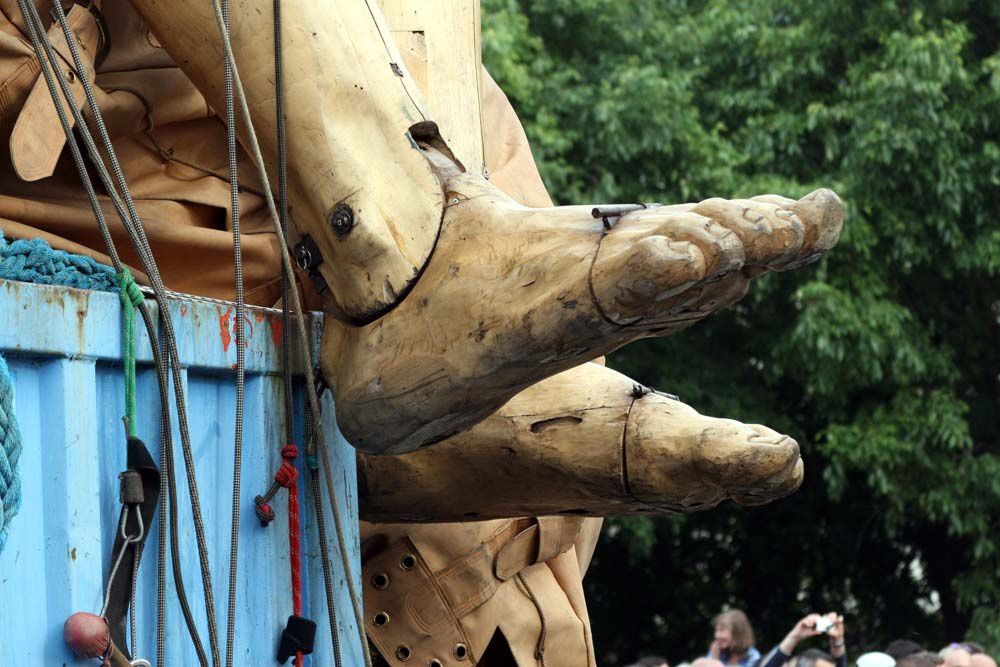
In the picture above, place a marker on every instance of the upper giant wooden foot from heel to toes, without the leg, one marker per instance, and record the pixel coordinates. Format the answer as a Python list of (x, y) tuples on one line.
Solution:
[(512, 295)]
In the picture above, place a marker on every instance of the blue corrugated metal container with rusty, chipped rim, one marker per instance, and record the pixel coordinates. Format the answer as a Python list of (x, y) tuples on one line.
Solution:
[(63, 347)]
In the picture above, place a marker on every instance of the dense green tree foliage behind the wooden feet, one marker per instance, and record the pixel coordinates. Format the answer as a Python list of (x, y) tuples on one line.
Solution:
[(882, 360)]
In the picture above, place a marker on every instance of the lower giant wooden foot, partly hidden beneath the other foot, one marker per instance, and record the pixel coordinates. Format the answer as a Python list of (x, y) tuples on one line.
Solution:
[(588, 441)]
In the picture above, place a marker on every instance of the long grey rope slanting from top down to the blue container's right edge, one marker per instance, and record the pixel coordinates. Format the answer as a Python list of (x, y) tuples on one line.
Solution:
[(286, 263)]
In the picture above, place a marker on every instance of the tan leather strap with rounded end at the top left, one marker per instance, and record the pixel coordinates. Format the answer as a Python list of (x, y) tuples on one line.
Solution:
[(38, 139)]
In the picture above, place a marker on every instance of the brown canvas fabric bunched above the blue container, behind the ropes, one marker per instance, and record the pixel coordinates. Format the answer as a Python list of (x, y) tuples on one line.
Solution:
[(171, 146)]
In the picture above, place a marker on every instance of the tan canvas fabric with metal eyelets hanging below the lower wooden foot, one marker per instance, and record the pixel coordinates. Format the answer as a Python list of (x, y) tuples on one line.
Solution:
[(516, 583)]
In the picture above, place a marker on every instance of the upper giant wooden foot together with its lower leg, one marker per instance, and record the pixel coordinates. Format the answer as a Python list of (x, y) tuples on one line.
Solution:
[(438, 321)]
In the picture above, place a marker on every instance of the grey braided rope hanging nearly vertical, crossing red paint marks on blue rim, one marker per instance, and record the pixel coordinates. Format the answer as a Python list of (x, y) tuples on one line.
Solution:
[(234, 192)]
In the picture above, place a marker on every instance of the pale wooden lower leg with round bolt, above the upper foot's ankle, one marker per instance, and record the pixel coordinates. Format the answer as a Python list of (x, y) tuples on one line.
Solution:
[(351, 108)]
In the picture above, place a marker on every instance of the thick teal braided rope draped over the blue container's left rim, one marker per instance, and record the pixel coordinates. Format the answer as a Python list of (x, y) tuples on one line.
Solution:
[(34, 261)]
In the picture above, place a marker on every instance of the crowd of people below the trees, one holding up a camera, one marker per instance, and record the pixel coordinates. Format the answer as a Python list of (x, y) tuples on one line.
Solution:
[(734, 645)]
